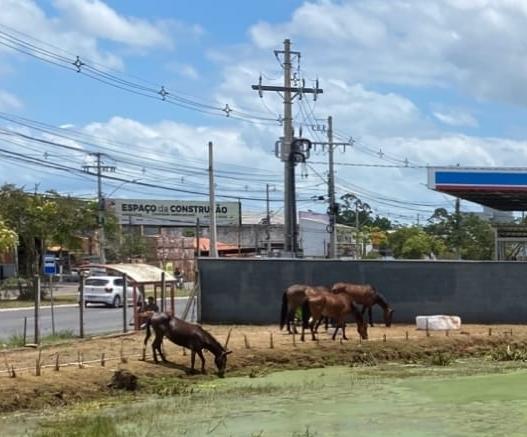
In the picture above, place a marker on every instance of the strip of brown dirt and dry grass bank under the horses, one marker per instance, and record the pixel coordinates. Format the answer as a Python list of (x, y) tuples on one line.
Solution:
[(256, 350)]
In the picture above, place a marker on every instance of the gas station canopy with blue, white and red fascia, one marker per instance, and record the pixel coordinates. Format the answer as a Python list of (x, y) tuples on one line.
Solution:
[(499, 188)]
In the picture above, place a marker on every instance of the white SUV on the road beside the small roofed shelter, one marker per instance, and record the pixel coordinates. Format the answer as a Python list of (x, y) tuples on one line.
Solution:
[(107, 290)]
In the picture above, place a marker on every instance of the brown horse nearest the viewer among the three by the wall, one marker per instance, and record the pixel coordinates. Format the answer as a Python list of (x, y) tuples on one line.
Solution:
[(337, 306)]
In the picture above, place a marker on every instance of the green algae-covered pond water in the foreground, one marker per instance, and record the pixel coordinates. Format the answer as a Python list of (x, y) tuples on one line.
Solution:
[(391, 400)]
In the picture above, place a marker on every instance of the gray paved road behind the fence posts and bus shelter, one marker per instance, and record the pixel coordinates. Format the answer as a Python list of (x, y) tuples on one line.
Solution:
[(97, 319)]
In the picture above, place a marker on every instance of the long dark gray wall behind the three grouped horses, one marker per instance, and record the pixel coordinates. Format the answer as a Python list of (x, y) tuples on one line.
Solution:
[(250, 290)]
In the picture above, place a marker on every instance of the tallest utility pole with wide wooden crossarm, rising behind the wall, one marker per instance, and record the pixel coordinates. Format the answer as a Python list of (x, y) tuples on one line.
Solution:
[(288, 150)]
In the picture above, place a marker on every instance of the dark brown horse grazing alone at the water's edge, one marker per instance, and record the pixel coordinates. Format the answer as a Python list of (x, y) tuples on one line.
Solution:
[(188, 335)]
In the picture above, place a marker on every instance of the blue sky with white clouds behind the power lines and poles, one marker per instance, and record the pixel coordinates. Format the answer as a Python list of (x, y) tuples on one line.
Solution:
[(436, 83)]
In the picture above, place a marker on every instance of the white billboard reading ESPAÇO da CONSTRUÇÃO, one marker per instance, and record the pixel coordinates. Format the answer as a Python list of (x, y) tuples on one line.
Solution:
[(172, 212)]
